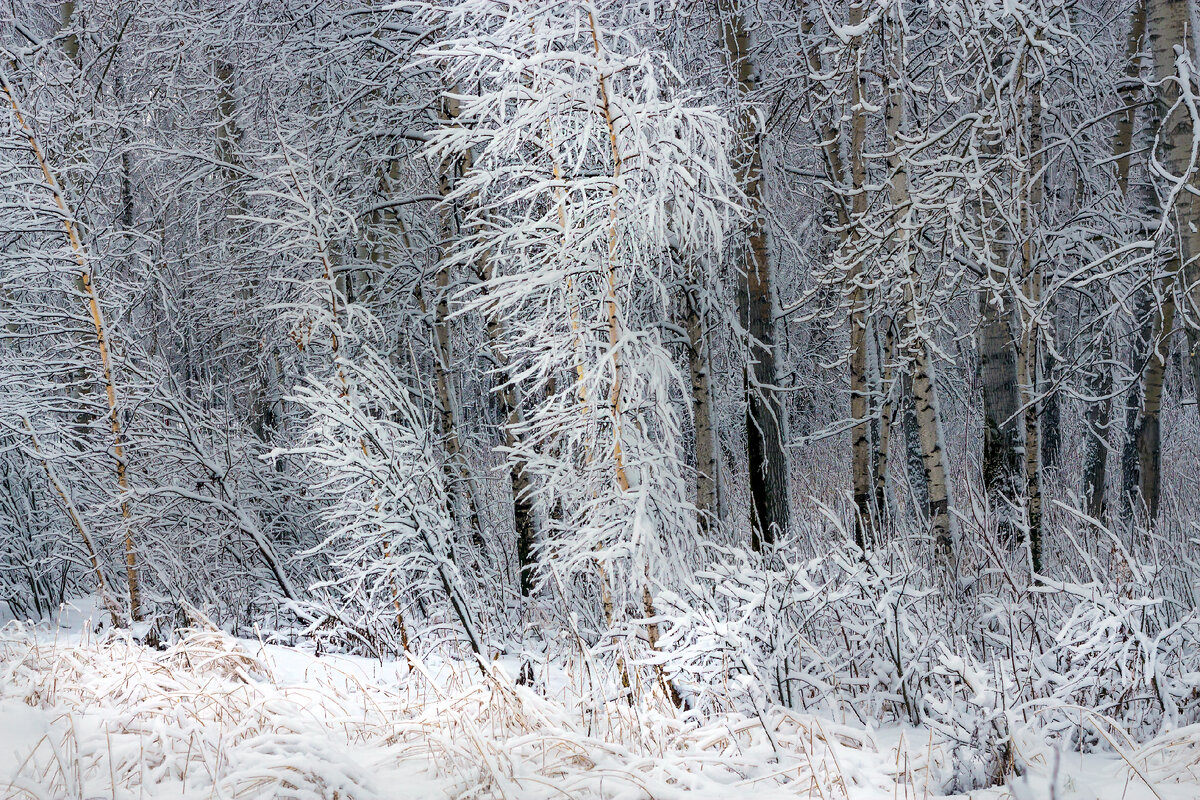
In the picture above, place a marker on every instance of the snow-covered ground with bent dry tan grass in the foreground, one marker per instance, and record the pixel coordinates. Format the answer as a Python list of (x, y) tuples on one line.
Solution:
[(219, 718)]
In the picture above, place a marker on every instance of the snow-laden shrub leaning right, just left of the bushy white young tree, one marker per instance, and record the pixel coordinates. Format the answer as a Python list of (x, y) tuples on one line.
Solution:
[(376, 473)]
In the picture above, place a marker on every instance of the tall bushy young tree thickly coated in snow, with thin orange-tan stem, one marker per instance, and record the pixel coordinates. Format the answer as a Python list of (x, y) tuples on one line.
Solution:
[(589, 167)]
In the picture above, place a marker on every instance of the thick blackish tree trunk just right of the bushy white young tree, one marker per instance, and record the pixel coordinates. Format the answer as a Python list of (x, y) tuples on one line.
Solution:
[(767, 462)]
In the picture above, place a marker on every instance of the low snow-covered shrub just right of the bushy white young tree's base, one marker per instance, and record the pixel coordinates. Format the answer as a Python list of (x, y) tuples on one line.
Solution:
[(842, 633)]
